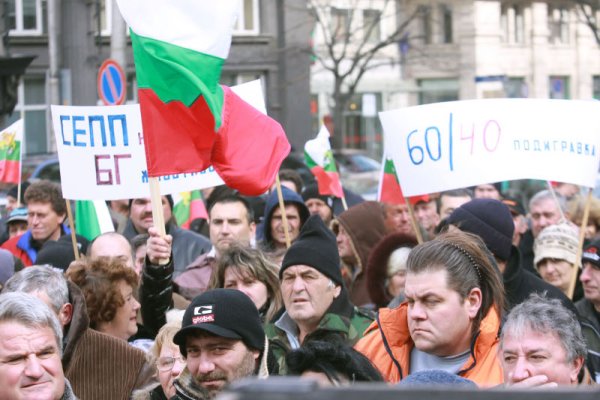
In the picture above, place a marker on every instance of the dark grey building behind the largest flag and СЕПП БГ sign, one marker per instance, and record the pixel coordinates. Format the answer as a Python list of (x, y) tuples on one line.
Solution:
[(71, 39)]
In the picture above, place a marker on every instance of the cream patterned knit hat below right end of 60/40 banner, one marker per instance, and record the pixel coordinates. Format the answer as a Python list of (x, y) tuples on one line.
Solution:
[(558, 241)]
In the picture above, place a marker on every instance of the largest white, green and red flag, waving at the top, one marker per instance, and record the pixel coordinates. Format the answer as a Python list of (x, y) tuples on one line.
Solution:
[(191, 122)]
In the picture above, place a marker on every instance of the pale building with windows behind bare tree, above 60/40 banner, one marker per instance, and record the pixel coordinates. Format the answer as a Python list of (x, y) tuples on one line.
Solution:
[(459, 50)]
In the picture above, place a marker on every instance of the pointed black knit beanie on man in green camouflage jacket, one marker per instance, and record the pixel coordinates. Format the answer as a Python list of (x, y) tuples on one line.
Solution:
[(316, 247)]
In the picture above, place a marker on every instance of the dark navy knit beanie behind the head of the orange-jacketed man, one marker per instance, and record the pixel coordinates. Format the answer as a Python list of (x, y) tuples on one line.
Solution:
[(489, 219)]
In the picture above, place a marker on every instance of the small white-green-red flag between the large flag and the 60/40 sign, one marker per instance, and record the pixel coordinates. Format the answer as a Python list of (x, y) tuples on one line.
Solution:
[(319, 159)]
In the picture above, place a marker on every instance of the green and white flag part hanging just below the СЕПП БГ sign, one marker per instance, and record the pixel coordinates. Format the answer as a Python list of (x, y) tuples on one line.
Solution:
[(92, 218)]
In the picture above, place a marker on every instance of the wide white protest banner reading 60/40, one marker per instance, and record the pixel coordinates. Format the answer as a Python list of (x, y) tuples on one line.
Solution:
[(458, 144)]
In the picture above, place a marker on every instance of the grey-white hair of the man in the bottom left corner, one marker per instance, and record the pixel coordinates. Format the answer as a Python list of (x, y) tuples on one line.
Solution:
[(30, 311)]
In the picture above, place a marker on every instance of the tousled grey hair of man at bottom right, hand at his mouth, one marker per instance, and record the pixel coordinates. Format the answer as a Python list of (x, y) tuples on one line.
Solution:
[(547, 316)]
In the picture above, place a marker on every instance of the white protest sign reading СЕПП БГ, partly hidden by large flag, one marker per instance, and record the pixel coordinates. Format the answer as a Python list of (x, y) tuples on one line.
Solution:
[(101, 152)]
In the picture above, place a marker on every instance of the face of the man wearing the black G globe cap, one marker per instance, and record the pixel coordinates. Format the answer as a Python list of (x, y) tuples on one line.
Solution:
[(216, 361)]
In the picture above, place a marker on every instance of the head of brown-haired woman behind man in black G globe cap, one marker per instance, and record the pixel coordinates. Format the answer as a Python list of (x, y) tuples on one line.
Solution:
[(248, 270)]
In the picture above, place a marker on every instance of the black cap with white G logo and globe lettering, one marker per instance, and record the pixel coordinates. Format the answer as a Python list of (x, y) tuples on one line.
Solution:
[(226, 313)]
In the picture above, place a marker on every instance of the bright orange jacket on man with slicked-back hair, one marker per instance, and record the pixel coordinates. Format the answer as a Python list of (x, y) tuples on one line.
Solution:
[(483, 367)]
